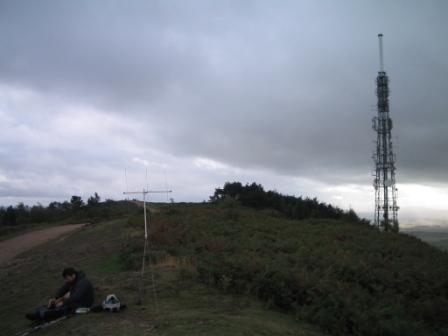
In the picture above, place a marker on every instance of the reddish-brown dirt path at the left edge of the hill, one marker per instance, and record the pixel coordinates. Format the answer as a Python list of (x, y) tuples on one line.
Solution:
[(10, 248)]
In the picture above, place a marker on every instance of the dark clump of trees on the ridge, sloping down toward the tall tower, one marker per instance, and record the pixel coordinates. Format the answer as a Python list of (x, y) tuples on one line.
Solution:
[(254, 196)]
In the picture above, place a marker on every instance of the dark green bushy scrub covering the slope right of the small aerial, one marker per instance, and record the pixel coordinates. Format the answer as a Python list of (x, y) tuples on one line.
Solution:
[(346, 278)]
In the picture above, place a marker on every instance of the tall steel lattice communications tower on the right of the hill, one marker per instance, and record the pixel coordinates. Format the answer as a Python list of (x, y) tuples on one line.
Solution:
[(385, 191)]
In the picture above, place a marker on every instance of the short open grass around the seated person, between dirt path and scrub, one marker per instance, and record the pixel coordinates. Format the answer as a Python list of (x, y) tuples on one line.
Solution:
[(184, 306)]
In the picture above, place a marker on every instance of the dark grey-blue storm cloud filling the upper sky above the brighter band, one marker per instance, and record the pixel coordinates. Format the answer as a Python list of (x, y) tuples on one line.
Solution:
[(285, 86)]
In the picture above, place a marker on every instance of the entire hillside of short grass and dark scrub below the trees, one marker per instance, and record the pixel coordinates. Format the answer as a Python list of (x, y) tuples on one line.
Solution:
[(229, 270)]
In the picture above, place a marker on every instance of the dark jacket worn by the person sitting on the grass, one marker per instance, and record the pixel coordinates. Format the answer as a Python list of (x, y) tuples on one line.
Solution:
[(81, 292)]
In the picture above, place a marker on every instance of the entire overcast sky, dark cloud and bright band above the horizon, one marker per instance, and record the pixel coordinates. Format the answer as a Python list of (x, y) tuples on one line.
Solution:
[(201, 92)]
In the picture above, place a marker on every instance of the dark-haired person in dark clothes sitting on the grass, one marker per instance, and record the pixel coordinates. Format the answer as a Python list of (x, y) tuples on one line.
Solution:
[(77, 292)]
